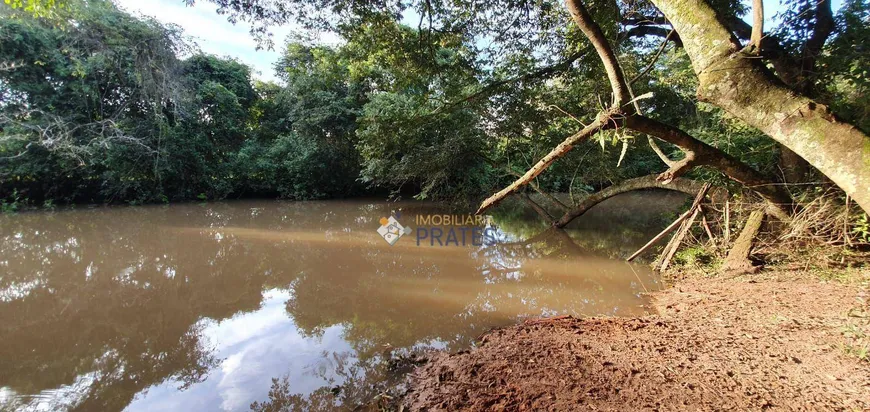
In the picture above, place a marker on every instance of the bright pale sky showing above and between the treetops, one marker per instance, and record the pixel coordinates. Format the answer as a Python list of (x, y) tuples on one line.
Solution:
[(215, 35)]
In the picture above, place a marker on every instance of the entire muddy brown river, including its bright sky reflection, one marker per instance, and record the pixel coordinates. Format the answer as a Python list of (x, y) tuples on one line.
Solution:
[(217, 306)]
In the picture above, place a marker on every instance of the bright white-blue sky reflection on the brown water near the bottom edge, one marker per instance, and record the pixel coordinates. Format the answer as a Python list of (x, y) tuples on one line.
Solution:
[(254, 347)]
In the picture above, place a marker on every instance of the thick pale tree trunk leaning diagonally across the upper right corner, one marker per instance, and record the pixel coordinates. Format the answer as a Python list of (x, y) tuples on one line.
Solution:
[(743, 87)]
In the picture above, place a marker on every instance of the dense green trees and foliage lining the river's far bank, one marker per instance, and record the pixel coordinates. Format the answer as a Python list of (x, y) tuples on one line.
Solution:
[(100, 106)]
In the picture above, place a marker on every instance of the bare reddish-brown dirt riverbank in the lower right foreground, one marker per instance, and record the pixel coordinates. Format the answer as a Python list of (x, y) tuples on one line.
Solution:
[(782, 339)]
